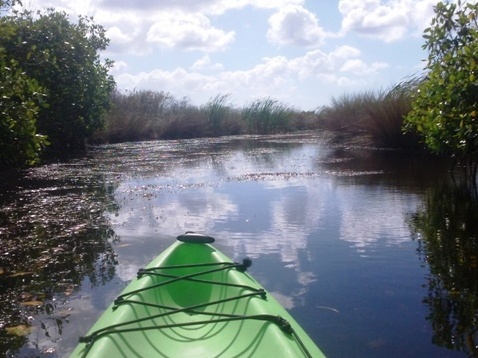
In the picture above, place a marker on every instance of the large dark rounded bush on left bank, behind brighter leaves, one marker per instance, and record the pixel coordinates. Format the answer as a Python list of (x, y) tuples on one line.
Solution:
[(63, 58)]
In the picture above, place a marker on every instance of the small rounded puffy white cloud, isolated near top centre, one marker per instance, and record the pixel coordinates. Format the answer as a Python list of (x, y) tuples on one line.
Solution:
[(294, 25)]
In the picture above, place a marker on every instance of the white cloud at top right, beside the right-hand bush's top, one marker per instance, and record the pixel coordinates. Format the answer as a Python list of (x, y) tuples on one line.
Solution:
[(386, 20)]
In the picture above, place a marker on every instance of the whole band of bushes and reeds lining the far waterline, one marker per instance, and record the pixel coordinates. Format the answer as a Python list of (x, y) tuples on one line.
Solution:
[(58, 97)]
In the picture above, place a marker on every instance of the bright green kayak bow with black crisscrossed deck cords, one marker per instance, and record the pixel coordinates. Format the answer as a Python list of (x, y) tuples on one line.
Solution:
[(193, 301)]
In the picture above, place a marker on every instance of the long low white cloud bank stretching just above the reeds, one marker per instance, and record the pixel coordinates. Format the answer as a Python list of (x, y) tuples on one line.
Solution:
[(276, 75)]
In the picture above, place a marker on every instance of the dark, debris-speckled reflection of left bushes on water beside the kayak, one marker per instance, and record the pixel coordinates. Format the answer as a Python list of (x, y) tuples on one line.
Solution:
[(53, 234)]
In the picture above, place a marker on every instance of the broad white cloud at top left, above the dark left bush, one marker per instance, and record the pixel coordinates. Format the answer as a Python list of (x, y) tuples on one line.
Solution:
[(135, 26)]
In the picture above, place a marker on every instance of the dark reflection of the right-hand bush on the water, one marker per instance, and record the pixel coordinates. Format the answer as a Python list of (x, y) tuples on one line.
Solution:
[(446, 229)]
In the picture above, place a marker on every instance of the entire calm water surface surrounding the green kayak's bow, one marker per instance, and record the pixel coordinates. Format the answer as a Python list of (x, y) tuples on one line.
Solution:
[(373, 251)]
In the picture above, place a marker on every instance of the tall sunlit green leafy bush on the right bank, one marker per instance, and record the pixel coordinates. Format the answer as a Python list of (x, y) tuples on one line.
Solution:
[(445, 105)]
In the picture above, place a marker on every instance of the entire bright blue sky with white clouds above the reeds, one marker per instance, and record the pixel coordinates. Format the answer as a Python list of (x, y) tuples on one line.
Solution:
[(302, 53)]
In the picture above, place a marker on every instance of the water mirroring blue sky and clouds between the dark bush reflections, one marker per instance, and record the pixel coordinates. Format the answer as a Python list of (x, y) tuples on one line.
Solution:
[(326, 228)]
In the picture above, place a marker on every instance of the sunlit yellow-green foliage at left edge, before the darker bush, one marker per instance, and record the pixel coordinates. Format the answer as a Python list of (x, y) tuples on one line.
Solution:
[(20, 102)]
